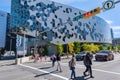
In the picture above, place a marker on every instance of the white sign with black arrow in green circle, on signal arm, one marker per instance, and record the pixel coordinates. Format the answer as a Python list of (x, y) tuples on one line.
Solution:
[(108, 5)]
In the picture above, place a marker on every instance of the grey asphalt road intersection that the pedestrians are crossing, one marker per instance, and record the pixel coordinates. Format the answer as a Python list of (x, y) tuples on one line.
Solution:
[(105, 70)]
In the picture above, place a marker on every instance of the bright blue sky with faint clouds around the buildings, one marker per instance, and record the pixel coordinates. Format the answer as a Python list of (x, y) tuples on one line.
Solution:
[(111, 16)]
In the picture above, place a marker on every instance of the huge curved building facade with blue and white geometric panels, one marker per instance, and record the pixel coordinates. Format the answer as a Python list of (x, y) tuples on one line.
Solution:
[(56, 21)]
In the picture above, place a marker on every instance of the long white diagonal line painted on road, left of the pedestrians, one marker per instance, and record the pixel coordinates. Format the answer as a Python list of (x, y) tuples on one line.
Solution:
[(64, 78)]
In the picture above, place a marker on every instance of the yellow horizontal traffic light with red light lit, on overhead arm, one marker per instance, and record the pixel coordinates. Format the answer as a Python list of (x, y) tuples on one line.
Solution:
[(92, 12)]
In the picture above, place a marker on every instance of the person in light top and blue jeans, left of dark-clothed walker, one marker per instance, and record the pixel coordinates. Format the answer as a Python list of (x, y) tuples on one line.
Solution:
[(72, 64)]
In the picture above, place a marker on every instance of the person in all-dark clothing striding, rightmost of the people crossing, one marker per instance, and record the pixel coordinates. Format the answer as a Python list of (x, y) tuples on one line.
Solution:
[(88, 62)]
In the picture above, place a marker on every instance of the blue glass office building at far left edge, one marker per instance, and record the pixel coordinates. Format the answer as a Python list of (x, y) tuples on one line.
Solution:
[(5, 38)]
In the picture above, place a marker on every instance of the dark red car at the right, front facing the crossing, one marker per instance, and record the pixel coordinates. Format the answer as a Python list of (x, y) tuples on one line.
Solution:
[(104, 55)]
